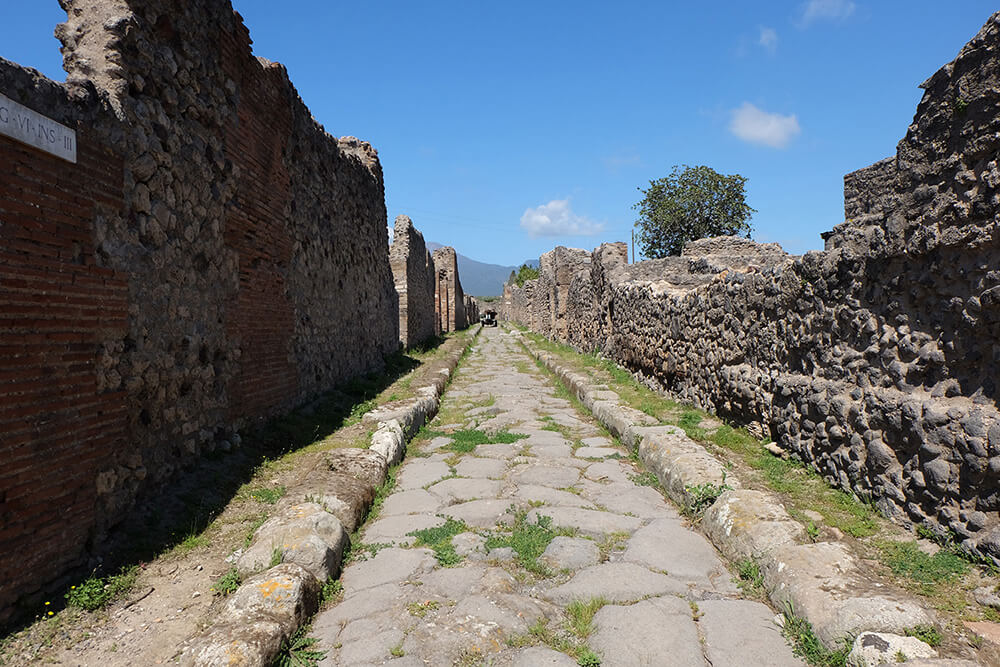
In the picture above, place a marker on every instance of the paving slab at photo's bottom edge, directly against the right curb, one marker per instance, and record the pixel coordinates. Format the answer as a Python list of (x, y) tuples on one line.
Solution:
[(742, 633)]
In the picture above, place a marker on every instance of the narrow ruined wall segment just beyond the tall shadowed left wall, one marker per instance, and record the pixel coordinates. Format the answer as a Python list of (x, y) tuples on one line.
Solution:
[(416, 280)]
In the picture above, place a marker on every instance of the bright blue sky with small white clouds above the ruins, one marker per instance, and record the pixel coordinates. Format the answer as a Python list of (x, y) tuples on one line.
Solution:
[(505, 129)]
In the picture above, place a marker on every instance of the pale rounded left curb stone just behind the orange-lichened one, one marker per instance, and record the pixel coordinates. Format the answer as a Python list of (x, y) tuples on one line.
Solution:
[(305, 534)]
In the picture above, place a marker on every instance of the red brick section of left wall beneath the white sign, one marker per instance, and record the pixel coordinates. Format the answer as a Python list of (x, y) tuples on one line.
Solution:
[(59, 426)]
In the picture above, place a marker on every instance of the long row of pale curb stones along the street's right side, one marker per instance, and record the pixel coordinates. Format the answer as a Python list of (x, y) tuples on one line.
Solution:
[(821, 582)]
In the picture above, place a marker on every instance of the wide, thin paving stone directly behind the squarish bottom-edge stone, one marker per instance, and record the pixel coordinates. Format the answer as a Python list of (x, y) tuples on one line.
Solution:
[(617, 582)]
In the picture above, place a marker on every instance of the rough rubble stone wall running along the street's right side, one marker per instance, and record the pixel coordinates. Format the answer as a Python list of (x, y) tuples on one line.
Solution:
[(876, 360)]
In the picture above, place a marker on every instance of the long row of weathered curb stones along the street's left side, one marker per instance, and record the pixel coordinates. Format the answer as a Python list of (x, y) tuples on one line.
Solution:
[(270, 606)]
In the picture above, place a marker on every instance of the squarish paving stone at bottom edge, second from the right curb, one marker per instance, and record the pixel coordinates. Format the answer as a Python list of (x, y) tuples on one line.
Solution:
[(635, 635)]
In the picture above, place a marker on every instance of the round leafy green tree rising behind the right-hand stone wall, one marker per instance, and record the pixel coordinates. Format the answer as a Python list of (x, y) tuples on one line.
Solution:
[(691, 203)]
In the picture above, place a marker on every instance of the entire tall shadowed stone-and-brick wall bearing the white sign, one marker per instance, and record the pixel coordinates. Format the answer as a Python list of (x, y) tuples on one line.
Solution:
[(213, 258)]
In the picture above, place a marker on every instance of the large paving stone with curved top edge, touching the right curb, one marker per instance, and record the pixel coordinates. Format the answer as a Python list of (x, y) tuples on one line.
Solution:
[(669, 546)]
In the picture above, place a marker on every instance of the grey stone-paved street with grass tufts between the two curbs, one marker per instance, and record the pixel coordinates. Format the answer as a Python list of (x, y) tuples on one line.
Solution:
[(519, 534)]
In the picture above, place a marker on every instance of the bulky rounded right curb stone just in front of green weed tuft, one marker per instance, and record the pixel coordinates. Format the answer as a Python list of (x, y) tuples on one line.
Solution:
[(746, 524)]
